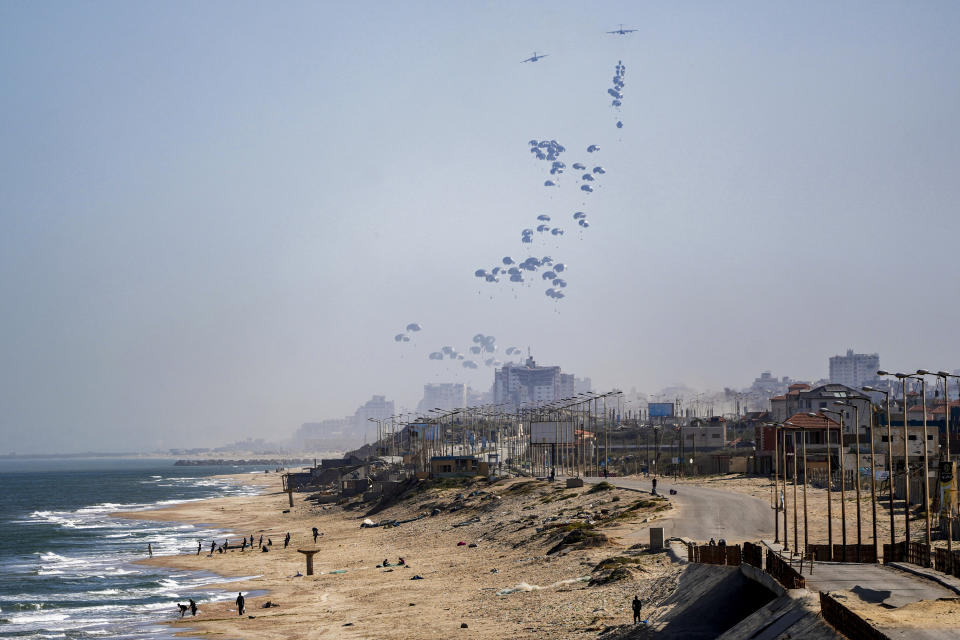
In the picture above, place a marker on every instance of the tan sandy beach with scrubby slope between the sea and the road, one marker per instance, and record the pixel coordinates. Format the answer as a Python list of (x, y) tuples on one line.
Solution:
[(503, 581)]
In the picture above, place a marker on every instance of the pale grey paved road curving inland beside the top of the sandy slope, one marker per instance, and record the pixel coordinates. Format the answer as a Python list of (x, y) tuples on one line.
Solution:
[(700, 513)]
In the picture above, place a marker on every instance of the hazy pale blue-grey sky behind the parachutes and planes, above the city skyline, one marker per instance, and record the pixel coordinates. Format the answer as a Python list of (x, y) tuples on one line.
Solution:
[(216, 216)]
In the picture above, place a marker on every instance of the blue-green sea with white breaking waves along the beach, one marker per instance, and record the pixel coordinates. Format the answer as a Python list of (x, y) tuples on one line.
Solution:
[(67, 567)]
